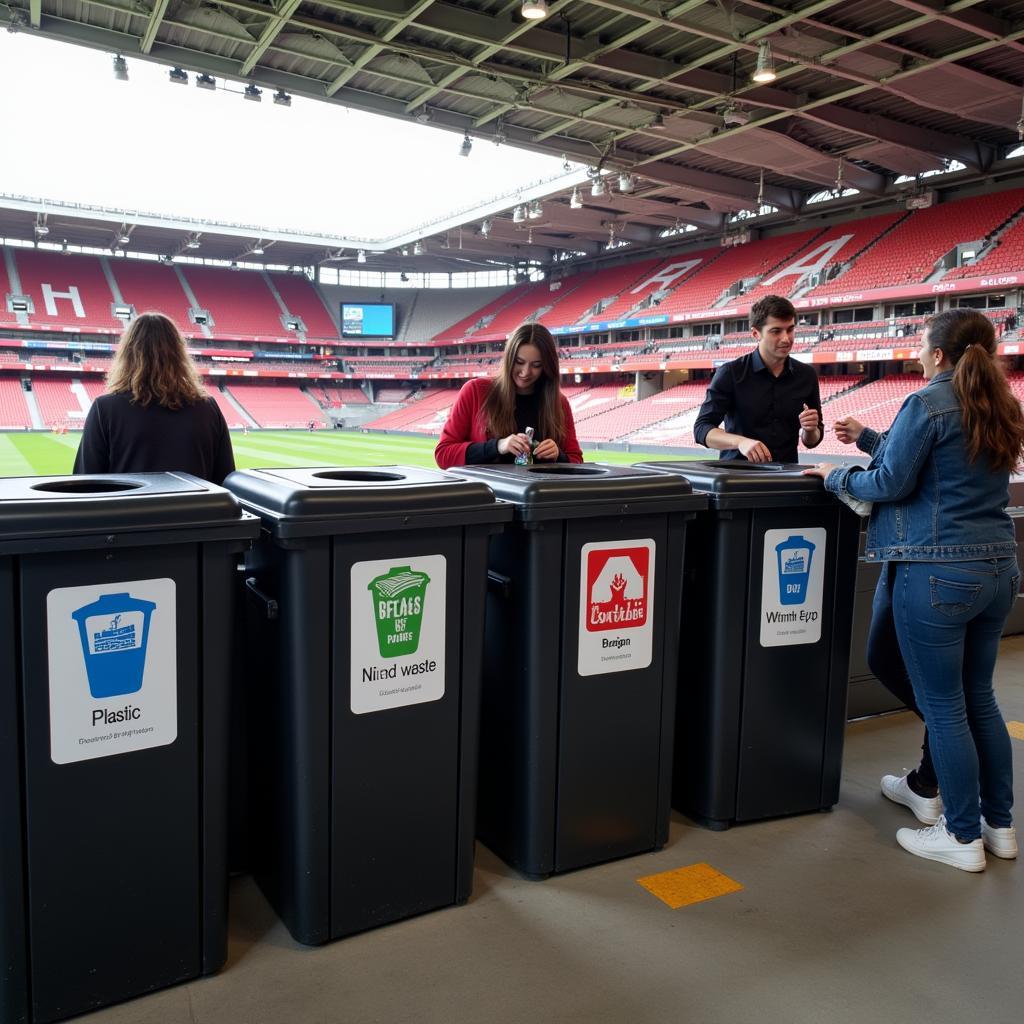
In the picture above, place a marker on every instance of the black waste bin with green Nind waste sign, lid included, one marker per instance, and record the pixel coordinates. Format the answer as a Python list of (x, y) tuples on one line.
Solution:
[(364, 700)]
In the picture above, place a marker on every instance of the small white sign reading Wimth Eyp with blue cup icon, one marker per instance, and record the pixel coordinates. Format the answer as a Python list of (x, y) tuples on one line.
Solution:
[(792, 586)]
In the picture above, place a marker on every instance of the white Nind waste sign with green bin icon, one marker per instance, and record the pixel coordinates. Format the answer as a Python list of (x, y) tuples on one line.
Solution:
[(398, 621)]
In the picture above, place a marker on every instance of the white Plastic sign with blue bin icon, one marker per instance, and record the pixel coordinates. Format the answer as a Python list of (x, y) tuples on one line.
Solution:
[(113, 669)]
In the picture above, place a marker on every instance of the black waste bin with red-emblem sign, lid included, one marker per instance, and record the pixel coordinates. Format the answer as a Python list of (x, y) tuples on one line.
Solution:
[(580, 664)]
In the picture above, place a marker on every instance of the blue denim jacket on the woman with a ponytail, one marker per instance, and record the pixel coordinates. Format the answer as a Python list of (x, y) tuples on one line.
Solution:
[(931, 503)]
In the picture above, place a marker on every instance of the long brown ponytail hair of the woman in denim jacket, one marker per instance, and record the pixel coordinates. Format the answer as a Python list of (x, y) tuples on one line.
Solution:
[(994, 423)]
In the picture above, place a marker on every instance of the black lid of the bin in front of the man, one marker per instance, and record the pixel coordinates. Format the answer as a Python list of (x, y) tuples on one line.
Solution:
[(734, 484)]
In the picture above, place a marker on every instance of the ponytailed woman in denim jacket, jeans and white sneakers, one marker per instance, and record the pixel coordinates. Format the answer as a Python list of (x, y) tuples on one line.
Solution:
[(940, 484)]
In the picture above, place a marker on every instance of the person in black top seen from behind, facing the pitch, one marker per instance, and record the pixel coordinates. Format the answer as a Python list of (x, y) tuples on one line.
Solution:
[(156, 416)]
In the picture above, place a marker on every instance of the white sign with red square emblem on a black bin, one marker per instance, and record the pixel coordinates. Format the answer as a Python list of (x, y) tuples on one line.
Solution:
[(617, 607)]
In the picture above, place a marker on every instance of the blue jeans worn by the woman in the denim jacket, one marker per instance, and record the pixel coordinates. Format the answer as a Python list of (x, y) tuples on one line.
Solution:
[(950, 617)]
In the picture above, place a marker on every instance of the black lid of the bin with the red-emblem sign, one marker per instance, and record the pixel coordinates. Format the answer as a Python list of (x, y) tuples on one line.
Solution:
[(564, 491)]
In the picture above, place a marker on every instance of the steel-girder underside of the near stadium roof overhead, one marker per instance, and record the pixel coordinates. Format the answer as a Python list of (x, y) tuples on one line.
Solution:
[(866, 91)]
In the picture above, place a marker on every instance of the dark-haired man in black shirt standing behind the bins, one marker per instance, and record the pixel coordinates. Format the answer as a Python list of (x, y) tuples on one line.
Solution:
[(766, 399)]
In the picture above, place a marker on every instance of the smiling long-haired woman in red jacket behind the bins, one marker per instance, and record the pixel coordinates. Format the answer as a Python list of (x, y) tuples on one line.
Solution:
[(489, 420)]
